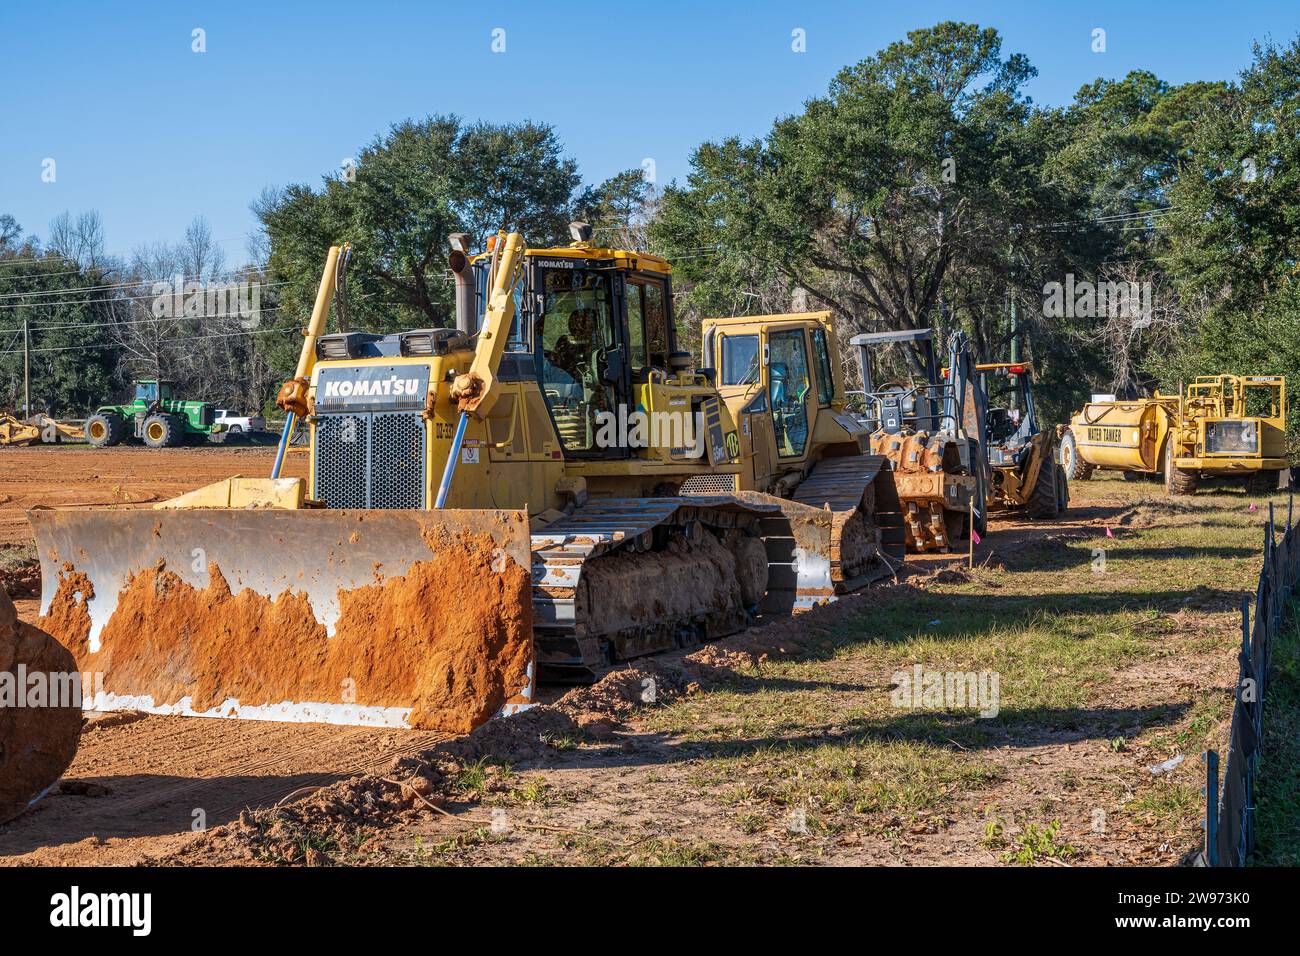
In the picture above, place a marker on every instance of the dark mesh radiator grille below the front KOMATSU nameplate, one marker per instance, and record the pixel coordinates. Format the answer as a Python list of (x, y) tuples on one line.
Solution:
[(371, 461)]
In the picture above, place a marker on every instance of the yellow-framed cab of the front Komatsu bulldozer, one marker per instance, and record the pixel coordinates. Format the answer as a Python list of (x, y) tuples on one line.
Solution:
[(595, 328)]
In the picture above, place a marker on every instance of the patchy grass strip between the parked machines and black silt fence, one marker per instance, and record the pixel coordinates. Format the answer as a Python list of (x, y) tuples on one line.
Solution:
[(1113, 655)]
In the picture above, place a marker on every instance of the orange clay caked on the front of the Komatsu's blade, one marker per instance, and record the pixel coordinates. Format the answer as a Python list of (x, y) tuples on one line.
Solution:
[(450, 639)]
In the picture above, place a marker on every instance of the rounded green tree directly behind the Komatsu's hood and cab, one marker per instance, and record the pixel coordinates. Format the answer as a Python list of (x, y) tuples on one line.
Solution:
[(409, 191)]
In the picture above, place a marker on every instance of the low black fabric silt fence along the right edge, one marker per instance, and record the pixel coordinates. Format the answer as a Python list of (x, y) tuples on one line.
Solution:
[(1230, 804)]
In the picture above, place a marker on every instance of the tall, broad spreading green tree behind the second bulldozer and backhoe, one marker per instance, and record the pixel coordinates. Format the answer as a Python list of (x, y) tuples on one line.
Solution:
[(913, 194)]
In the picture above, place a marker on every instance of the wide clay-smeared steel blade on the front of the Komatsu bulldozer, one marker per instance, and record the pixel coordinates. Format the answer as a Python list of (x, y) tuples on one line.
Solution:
[(370, 618)]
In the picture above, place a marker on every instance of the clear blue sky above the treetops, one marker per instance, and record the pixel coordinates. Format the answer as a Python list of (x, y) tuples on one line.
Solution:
[(153, 135)]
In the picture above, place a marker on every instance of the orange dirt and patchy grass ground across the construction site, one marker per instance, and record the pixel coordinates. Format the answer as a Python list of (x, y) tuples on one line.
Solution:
[(775, 746)]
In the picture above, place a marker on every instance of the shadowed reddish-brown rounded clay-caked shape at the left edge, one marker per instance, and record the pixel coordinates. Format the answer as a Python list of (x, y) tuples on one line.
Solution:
[(38, 734)]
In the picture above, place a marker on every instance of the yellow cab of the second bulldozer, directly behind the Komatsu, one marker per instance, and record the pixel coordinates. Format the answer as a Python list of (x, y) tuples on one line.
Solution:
[(779, 378)]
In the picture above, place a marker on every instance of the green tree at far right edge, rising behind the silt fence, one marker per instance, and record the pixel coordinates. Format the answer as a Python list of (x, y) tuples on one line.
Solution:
[(1233, 241)]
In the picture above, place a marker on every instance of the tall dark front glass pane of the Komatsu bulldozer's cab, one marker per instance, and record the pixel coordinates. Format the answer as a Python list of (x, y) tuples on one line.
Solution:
[(575, 338)]
